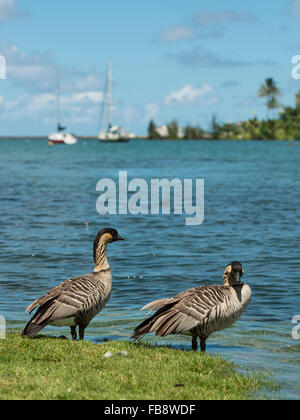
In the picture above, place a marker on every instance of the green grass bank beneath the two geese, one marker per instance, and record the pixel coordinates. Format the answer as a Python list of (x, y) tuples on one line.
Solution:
[(48, 368)]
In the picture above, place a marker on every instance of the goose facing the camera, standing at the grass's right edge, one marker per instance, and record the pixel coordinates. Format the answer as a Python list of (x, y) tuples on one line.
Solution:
[(200, 311)]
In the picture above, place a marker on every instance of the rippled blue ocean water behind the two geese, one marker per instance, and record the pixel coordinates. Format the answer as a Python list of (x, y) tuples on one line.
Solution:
[(48, 221)]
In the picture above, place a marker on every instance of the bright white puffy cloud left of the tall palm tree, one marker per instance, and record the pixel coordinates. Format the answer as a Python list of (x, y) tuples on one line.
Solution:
[(187, 95)]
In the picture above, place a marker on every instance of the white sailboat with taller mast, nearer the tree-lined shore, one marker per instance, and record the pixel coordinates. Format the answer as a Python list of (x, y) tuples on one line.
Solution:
[(113, 133)]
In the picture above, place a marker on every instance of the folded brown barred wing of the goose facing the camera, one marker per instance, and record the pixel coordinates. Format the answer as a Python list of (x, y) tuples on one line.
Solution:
[(183, 312)]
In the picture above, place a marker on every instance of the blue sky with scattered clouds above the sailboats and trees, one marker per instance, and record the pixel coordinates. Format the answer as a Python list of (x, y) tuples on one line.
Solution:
[(171, 59)]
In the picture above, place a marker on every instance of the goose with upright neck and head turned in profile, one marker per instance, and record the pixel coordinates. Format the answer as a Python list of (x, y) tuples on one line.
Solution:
[(77, 300)]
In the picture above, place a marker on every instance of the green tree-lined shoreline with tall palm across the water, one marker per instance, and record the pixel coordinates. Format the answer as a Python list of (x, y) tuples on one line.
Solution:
[(285, 127)]
